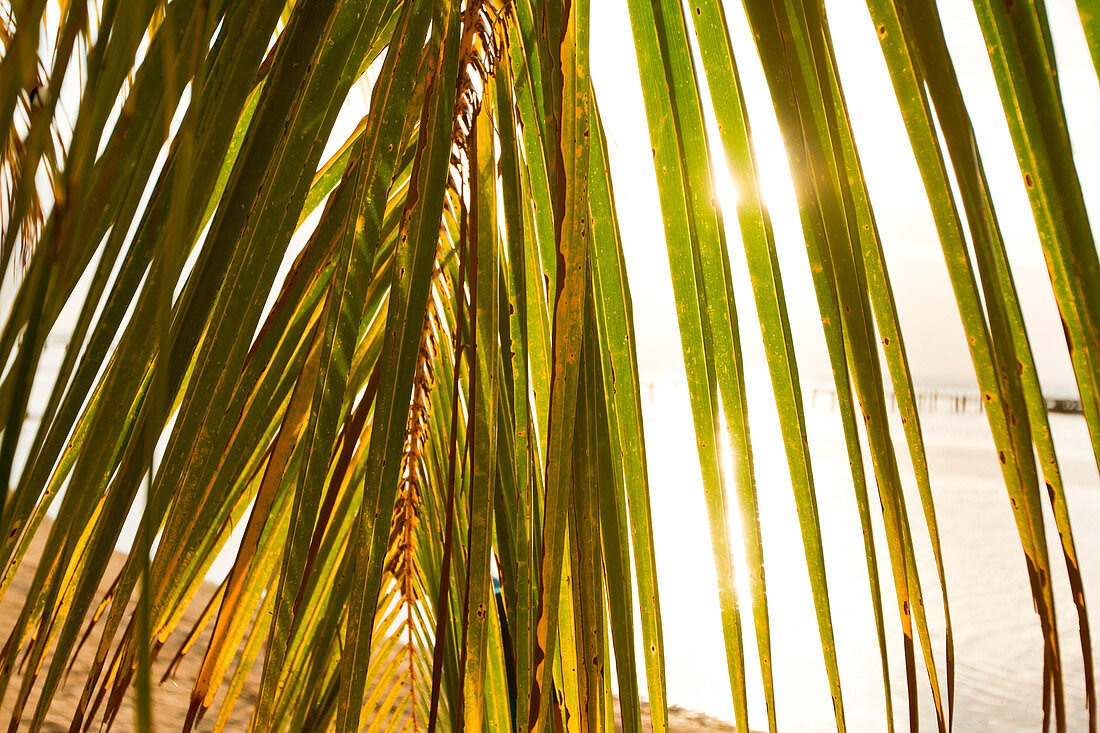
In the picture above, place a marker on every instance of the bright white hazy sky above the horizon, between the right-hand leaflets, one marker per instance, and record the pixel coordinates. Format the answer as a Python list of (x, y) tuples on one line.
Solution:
[(930, 319)]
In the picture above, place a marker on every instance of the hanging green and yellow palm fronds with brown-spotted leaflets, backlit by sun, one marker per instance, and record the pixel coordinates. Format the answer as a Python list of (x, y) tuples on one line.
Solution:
[(381, 355)]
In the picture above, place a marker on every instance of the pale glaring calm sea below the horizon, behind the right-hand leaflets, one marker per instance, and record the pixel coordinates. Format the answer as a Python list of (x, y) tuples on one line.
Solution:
[(997, 636)]
